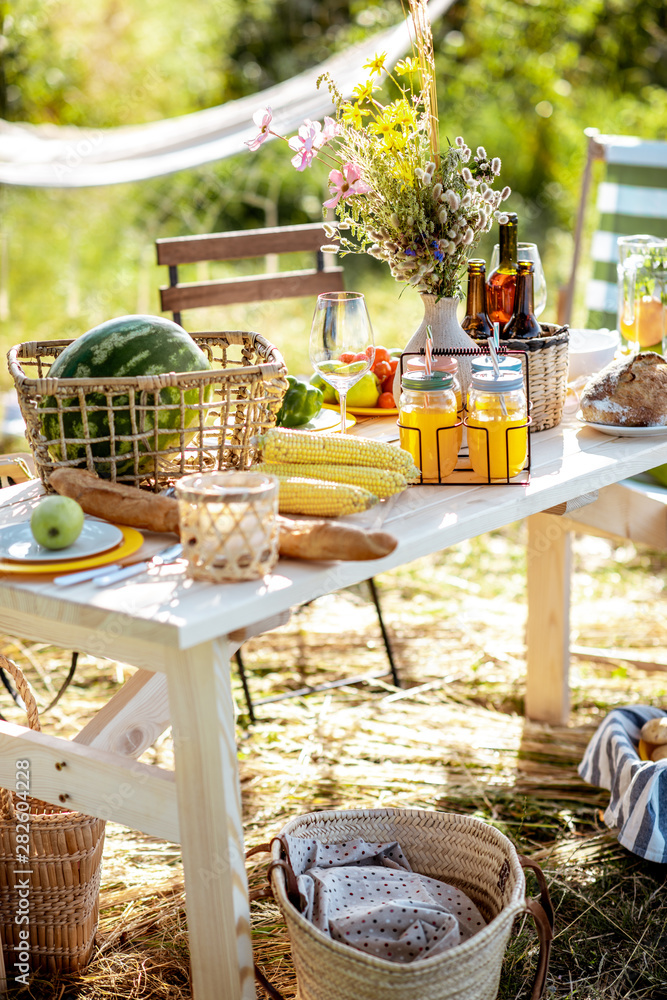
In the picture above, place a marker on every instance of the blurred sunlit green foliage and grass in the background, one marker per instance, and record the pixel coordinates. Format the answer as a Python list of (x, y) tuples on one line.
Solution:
[(521, 77)]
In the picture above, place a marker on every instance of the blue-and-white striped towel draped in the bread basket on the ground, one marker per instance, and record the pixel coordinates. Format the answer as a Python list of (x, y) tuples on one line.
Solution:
[(638, 803)]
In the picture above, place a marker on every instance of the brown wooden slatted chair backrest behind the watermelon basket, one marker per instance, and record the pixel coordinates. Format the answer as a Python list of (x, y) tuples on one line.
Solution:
[(244, 245)]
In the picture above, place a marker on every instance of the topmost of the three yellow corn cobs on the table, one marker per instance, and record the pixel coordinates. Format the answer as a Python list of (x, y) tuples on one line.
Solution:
[(280, 445)]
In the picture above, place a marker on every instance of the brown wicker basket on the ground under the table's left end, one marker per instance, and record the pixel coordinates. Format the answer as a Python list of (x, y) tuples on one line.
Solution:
[(65, 856)]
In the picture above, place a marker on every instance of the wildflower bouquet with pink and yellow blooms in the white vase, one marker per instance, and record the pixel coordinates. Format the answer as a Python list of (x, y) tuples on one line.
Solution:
[(396, 195)]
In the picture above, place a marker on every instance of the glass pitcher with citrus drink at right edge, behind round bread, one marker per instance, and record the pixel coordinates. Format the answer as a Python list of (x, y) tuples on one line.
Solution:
[(642, 292)]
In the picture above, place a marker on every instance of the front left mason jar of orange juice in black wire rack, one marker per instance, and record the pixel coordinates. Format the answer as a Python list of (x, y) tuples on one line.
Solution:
[(427, 423)]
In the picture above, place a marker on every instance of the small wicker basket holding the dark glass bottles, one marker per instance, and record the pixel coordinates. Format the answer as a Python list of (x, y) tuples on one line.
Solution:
[(548, 361)]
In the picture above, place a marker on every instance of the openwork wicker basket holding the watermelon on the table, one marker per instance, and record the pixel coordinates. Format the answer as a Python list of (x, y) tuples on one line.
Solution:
[(111, 427)]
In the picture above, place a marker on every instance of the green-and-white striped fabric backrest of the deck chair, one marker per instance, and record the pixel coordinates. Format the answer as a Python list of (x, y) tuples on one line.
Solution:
[(631, 199)]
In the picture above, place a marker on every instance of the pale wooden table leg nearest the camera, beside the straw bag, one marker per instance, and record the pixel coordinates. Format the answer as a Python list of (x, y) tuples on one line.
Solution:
[(209, 809)]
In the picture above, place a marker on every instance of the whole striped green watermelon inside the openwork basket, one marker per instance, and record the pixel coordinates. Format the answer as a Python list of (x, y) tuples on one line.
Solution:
[(125, 347)]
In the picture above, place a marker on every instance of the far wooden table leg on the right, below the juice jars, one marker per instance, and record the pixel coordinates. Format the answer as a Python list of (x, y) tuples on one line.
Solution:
[(548, 626)]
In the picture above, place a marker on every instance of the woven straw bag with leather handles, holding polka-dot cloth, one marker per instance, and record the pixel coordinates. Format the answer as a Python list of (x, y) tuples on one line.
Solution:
[(461, 850)]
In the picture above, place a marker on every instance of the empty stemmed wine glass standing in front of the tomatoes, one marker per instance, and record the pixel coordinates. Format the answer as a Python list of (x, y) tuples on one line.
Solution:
[(341, 342)]
